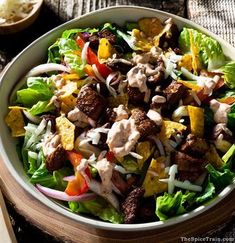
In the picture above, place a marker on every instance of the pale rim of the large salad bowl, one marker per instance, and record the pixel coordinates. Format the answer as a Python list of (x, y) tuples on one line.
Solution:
[(93, 222)]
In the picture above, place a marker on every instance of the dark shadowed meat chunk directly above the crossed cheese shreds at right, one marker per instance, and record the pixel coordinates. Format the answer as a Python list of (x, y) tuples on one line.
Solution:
[(189, 168)]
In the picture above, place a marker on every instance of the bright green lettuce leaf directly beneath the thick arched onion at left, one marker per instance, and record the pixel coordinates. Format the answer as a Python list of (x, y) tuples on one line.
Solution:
[(38, 90)]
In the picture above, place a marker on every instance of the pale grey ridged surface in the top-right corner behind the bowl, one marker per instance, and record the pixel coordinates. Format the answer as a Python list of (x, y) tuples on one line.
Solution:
[(215, 15)]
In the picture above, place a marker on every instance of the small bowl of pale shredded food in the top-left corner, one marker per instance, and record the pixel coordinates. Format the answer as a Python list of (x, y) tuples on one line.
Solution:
[(16, 15)]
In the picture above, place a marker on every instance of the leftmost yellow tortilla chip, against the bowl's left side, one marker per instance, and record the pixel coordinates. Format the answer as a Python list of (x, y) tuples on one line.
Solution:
[(15, 121)]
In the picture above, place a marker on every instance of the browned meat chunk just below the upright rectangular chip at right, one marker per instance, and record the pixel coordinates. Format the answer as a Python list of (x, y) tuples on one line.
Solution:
[(195, 146)]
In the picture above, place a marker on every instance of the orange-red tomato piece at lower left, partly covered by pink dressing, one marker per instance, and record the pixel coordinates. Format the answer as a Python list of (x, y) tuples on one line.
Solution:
[(78, 185)]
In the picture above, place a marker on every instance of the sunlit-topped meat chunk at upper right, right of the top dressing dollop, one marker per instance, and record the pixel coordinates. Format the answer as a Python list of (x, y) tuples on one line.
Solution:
[(174, 92)]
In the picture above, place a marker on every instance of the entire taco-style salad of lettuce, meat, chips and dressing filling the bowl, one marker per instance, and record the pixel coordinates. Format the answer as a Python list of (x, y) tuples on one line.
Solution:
[(128, 124)]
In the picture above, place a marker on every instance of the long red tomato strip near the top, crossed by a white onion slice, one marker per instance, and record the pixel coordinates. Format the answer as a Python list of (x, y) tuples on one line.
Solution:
[(92, 58)]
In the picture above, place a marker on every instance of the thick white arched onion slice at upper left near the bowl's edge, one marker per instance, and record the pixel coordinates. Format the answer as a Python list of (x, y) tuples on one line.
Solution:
[(47, 67)]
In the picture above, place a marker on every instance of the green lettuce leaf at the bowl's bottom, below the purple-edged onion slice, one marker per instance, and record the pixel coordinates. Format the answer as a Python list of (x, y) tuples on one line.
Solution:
[(100, 208)]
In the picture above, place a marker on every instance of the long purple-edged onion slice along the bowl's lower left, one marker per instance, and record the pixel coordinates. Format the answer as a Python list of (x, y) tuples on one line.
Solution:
[(63, 196)]
